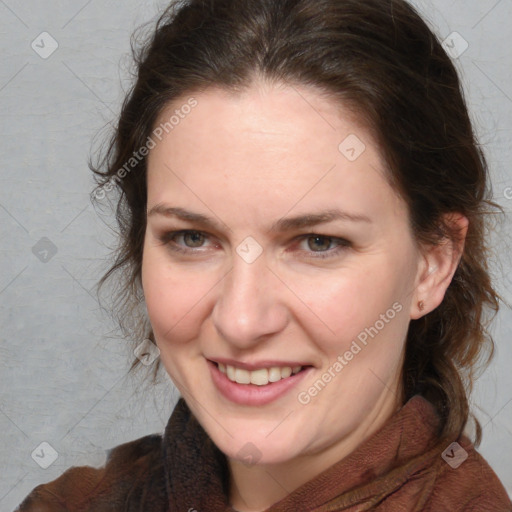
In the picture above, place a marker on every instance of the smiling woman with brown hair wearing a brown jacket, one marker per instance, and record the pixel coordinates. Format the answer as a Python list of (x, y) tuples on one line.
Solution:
[(302, 211)]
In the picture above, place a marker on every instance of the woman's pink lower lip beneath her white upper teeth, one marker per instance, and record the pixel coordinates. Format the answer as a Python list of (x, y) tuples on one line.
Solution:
[(251, 394)]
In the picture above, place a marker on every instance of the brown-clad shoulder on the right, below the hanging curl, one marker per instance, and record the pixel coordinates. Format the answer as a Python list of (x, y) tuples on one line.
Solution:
[(466, 482)]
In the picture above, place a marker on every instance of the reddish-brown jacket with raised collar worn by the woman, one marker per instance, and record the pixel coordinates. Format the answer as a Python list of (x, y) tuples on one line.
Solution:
[(401, 468)]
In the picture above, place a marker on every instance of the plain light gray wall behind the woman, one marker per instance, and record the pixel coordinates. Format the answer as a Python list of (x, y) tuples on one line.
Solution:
[(63, 365)]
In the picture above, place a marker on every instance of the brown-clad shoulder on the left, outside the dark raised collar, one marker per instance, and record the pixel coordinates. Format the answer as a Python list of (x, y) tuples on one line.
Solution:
[(129, 469)]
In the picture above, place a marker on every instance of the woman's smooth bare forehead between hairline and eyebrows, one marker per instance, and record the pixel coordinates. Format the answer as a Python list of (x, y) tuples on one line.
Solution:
[(267, 150)]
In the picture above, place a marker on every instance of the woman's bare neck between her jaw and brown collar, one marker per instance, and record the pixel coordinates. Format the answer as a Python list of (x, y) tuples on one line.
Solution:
[(256, 488)]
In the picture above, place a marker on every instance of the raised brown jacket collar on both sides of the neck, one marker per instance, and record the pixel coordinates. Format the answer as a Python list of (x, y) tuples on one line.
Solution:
[(197, 474)]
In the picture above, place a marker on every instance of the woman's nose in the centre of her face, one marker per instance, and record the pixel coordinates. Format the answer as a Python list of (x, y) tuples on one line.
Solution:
[(249, 308)]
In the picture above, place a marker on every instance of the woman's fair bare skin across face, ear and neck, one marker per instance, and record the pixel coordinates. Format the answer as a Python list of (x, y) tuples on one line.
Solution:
[(247, 160)]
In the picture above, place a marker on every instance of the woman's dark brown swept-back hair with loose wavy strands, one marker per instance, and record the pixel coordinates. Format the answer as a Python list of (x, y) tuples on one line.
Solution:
[(377, 57)]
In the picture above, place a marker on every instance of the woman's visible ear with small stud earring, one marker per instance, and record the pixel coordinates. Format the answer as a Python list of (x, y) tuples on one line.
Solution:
[(438, 265)]
